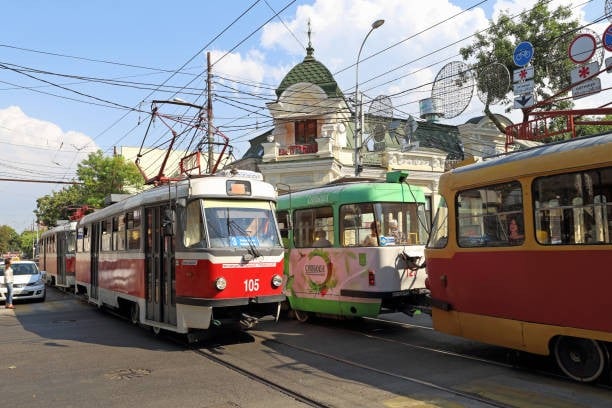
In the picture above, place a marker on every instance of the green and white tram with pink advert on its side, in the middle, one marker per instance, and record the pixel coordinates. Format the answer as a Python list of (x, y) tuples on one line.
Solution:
[(354, 248)]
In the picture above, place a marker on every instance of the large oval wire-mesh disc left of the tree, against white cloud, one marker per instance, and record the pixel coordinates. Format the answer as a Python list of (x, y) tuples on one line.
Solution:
[(453, 88)]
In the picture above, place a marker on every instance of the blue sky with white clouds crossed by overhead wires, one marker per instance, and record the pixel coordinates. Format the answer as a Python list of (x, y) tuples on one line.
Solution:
[(77, 76)]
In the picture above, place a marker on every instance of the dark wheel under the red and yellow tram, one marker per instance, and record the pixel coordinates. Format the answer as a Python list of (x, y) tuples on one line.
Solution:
[(580, 359)]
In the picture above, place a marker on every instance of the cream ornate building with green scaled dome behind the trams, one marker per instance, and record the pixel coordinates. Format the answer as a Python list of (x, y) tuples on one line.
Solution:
[(312, 141)]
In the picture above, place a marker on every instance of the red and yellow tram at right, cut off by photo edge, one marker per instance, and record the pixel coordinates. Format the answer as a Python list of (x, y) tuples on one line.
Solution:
[(520, 253)]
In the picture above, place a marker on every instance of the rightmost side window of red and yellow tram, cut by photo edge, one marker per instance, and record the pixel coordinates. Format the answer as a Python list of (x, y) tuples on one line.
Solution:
[(574, 208)]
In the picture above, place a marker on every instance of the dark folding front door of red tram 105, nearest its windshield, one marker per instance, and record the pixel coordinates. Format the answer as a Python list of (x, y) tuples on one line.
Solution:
[(159, 258)]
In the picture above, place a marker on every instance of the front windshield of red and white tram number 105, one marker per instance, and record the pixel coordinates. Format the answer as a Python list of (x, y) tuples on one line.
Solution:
[(223, 224)]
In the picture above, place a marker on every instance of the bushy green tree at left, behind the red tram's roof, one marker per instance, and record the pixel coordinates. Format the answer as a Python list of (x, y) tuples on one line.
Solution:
[(97, 177)]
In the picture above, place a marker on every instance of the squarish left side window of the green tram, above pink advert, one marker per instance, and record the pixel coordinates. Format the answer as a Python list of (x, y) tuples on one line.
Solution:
[(313, 227)]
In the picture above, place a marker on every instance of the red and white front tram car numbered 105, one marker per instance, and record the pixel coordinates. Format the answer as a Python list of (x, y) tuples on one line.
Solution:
[(186, 255)]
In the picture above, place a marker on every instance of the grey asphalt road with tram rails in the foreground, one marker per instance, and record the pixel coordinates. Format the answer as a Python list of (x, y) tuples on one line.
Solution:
[(67, 353)]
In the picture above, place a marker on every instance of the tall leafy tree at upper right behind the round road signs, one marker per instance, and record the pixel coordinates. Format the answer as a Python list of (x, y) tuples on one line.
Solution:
[(550, 33)]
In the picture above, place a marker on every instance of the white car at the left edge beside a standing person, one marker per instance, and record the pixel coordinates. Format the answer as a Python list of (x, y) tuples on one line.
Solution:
[(28, 282)]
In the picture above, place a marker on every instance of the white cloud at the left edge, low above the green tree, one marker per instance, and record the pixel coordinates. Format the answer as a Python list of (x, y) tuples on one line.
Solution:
[(34, 150)]
